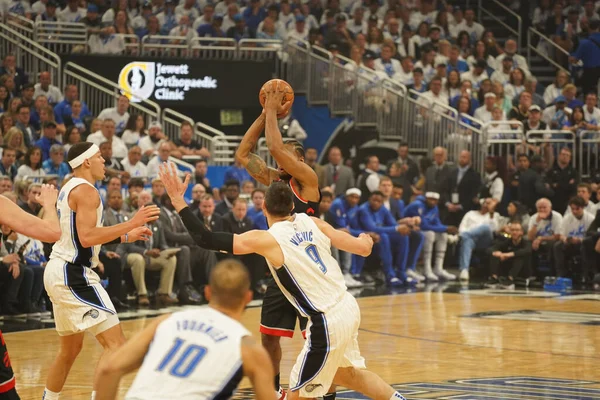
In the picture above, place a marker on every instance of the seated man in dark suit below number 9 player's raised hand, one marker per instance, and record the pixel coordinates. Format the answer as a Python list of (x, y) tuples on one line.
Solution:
[(177, 236)]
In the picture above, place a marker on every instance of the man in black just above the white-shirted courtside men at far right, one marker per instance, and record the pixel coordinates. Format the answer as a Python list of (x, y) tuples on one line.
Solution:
[(563, 179)]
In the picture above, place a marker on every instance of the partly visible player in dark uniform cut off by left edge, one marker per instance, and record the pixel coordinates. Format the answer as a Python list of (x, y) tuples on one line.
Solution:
[(46, 230)]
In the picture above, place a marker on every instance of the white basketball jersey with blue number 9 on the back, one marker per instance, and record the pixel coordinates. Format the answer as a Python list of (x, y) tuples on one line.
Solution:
[(310, 277)]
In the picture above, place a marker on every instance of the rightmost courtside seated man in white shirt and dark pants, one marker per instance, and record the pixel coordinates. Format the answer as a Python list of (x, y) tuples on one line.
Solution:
[(571, 234)]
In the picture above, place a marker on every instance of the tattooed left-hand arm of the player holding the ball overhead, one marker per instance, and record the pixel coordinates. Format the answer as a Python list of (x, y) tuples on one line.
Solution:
[(256, 166)]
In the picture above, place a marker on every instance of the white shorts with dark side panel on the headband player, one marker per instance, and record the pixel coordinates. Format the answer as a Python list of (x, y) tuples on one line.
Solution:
[(79, 300)]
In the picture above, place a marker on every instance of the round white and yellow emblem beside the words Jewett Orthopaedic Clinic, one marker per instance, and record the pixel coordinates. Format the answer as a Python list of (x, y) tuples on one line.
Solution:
[(137, 80)]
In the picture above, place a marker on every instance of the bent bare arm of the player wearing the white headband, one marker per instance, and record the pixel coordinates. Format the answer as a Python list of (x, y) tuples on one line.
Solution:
[(84, 200)]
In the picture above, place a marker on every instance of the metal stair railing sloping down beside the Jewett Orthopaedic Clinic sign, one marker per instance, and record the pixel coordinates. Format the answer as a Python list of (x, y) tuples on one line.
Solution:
[(100, 93)]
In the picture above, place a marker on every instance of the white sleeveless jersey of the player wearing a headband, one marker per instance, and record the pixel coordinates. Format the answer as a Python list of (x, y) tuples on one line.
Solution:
[(69, 248)]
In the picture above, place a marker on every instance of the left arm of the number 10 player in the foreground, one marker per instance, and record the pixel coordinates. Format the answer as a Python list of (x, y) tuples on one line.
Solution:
[(124, 360)]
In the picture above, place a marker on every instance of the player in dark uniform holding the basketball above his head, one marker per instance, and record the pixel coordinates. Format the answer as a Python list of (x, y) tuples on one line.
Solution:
[(278, 316)]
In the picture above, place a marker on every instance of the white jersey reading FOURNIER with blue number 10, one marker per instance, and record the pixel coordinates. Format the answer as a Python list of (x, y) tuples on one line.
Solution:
[(195, 354)]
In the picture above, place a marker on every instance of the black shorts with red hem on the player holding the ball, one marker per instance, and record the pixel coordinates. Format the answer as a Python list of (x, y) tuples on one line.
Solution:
[(278, 316)]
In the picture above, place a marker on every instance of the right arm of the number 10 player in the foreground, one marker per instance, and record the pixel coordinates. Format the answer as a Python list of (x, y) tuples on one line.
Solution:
[(257, 367)]
